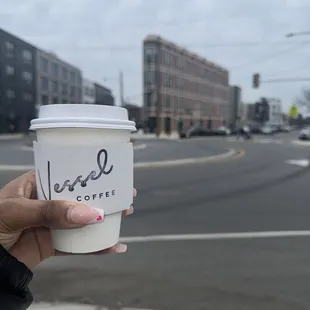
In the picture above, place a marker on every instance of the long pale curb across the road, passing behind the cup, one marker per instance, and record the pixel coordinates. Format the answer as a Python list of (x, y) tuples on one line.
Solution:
[(154, 164)]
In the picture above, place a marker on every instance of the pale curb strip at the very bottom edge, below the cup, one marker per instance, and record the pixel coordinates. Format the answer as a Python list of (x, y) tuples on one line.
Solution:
[(69, 306)]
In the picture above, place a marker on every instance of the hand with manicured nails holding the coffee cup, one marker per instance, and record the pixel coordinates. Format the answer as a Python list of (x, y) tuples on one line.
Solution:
[(25, 222)]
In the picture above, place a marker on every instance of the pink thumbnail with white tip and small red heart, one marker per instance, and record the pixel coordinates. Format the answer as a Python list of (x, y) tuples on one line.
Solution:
[(85, 215)]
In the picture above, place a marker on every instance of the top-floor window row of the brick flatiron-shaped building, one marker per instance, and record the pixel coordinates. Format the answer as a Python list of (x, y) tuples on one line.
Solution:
[(183, 64)]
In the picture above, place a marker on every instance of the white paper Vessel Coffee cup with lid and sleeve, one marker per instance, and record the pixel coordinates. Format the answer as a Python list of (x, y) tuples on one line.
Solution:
[(69, 138)]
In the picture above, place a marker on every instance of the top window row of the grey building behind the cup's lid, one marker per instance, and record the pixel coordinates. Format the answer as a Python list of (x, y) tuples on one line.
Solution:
[(58, 72)]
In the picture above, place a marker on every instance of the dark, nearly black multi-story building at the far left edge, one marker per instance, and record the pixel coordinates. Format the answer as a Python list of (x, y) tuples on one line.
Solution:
[(17, 83)]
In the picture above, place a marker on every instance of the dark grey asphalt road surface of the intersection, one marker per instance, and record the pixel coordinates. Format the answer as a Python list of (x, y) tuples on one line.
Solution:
[(259, 192)]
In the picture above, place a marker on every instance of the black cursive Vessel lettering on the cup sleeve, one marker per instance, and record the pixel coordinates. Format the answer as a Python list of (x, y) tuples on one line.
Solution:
[(102, 165)]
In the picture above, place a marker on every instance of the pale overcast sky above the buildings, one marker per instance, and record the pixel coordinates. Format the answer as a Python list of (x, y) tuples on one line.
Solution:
[(103, 37)]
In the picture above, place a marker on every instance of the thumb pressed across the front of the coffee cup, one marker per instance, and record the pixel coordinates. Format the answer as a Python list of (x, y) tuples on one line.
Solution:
[(21, 213)]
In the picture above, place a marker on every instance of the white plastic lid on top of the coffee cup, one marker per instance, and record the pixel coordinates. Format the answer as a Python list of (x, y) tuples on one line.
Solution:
[(82, 116)]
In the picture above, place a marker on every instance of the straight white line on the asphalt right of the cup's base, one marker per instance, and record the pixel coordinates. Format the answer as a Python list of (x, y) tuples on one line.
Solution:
[(218, 236)]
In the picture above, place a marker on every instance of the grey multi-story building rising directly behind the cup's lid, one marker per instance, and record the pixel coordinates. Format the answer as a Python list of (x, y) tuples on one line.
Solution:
[(57, 81)]
